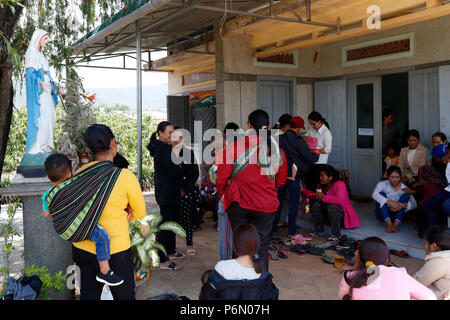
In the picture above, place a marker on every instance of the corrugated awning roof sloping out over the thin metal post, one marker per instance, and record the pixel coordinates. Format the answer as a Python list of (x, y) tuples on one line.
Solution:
[(162, 22)]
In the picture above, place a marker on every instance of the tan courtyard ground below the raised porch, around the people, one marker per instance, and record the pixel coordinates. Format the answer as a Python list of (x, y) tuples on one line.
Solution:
[(303, 277)]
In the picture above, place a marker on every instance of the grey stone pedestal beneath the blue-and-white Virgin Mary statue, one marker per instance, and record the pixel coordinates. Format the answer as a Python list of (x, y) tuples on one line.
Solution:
[(42, 246)]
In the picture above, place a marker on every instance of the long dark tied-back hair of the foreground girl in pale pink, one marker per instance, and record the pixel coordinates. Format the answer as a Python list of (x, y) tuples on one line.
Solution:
[(371, 249)]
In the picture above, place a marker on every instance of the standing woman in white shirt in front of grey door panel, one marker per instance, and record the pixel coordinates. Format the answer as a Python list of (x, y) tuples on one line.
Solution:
[(320, 130)]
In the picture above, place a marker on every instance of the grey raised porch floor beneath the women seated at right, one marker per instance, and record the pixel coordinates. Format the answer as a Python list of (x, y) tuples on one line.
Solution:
[(406, 239)]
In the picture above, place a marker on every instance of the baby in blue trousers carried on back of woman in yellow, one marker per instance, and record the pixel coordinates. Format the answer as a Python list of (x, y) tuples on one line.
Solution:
[(59, 169)]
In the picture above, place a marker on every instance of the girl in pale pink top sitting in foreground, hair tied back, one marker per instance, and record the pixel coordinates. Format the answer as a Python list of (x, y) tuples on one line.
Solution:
[(371, 279)]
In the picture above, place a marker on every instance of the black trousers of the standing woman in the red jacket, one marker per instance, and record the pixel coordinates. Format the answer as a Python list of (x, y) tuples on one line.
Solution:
[(262, 221)]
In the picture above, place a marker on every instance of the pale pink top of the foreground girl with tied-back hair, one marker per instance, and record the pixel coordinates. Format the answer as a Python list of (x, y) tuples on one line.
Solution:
[(391, 284)]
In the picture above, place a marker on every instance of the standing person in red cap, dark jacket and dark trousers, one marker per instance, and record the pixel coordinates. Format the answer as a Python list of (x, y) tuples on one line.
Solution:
[(298, 153)]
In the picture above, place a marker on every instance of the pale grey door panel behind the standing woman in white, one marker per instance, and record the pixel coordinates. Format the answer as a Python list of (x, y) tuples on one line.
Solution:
[(330, 101)]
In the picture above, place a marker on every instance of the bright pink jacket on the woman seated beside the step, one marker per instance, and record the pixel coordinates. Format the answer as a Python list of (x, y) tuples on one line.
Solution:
[(338, 194)]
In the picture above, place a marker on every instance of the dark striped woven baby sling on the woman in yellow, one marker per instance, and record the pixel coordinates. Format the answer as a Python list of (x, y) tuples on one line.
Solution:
[(77, 204)]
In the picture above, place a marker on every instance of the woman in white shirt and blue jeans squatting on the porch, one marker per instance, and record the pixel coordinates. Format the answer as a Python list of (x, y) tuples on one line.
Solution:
[(392, 200)]
